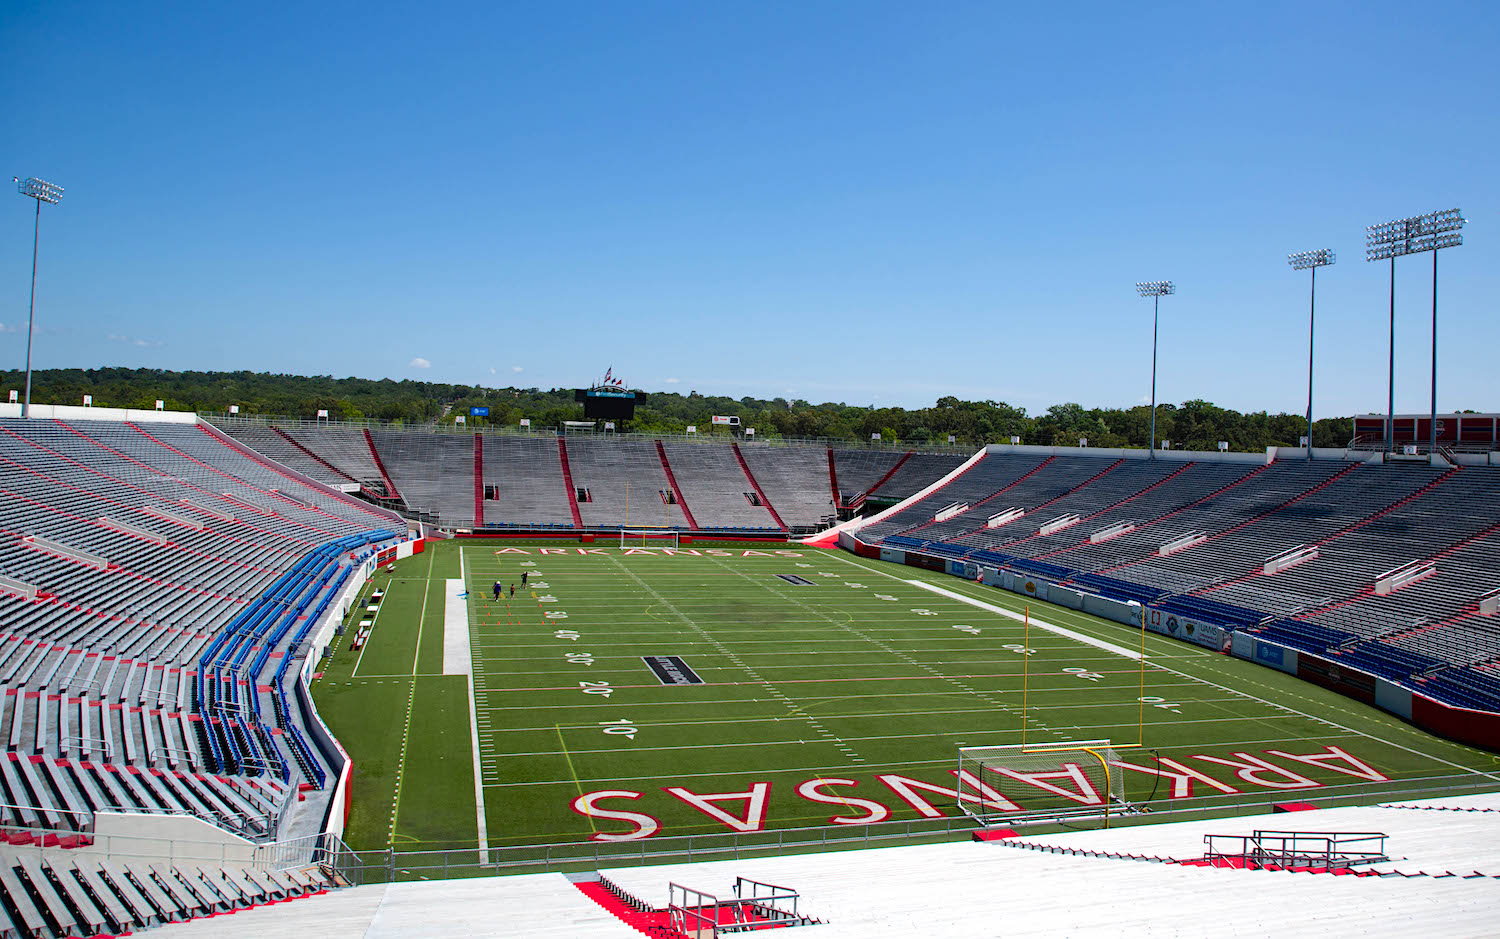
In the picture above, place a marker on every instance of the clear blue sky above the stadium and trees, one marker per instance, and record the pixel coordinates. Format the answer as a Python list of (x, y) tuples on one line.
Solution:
[(869, 203)]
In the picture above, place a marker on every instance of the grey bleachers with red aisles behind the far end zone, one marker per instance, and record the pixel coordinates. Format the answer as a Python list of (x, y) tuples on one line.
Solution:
[(434, 475)]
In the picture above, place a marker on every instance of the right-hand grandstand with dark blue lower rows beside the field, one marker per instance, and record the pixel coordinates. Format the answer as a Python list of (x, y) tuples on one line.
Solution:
[(1351, 524)]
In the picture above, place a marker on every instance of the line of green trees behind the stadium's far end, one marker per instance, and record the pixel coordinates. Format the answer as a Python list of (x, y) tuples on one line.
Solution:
[(1193, 425)]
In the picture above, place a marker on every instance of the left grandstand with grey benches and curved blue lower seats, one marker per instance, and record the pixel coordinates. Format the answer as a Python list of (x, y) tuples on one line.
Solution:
[(149, 668)]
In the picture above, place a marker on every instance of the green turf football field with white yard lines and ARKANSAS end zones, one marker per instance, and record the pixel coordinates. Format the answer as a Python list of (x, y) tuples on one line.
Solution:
[(865, 677)]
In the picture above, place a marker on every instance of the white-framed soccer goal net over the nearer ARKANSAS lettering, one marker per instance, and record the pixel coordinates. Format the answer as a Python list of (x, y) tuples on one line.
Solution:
[(1058, 781)]
